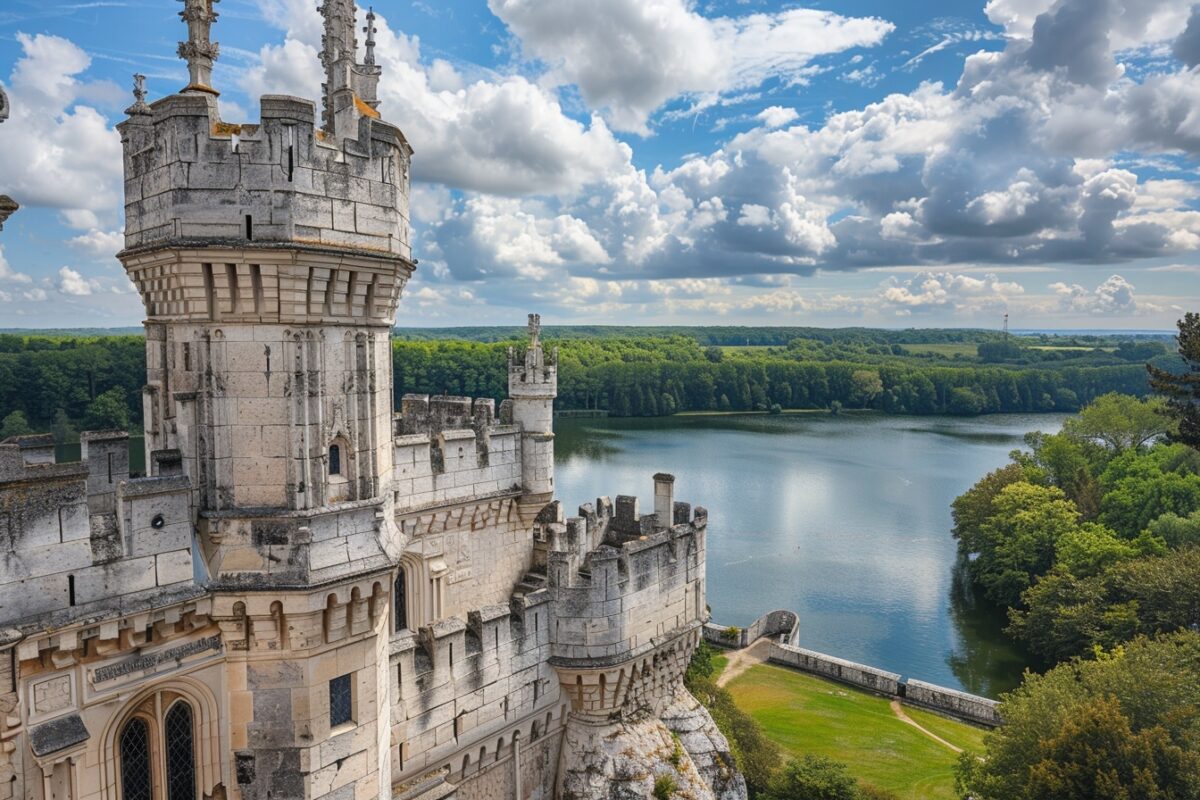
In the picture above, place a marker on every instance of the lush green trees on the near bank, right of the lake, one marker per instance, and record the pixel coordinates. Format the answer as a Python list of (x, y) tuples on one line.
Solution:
[(1090, 539)]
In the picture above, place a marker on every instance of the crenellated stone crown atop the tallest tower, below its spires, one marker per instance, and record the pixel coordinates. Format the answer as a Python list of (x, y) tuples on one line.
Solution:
[(190, 177)]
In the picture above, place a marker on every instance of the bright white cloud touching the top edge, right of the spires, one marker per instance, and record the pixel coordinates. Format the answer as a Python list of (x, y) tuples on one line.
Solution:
[(631, 57)]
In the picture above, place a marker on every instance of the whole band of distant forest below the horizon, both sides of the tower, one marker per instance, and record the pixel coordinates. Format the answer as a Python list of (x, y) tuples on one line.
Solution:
[(68, 382)]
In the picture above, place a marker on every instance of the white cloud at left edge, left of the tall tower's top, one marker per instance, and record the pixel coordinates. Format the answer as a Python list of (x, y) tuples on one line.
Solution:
[(55, 151)]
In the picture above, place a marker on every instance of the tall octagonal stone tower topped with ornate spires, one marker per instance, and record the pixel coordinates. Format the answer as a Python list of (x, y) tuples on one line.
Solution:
[(271, 258)]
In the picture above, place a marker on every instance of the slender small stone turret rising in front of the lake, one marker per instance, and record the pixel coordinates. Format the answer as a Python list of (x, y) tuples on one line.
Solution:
[(533, 386)]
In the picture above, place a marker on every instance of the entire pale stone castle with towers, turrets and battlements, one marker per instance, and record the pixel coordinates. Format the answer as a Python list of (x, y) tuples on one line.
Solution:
[(309, 596)]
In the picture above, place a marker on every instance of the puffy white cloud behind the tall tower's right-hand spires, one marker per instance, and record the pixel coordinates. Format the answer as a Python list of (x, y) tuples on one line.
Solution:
[(501, 135)]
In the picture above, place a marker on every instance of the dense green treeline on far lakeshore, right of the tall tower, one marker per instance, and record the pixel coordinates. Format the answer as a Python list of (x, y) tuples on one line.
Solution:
[(655, 377)]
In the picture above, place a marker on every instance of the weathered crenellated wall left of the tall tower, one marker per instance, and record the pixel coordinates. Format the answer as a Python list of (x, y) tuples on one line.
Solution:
[(87, 540)]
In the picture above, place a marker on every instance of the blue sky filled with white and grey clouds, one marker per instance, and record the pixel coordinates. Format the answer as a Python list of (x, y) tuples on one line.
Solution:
[(833, 163)]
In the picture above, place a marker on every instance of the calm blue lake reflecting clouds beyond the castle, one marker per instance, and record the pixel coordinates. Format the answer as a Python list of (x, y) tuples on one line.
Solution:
[(844, 520)]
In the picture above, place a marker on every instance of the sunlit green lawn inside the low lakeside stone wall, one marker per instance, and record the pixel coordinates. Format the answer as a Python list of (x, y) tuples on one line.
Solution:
[(805, 714)]
